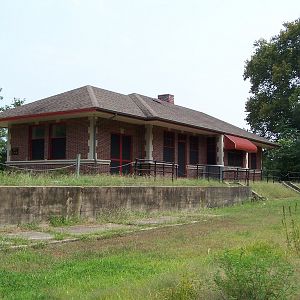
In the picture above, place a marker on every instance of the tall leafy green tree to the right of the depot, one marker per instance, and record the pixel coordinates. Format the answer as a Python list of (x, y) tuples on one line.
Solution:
[(274, 74)]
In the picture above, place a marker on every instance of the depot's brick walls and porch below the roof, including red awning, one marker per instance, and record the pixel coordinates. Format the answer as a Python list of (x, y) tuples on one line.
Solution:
[(123, 147)]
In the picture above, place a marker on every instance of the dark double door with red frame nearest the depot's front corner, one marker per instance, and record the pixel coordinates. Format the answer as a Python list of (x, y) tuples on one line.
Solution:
[(120, 154)]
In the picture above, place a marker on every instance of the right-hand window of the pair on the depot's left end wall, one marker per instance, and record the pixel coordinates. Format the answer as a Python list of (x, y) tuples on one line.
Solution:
[(58, 141)]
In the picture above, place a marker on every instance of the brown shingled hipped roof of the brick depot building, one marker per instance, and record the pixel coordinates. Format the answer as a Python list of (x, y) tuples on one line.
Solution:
[(133, 105)]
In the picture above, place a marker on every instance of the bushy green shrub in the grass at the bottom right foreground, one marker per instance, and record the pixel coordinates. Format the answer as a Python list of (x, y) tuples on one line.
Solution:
[(256, 272)]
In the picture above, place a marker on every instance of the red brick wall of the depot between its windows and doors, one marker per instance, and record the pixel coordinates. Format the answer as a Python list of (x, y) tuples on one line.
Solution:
[(78, 136)]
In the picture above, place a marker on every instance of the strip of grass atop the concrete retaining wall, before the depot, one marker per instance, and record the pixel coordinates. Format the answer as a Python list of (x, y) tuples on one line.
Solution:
[(21, 179)]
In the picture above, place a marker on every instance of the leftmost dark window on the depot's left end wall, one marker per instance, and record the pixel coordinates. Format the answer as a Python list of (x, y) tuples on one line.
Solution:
[(37, 142)]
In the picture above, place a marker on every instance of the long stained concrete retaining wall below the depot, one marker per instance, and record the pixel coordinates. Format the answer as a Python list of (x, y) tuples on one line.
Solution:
[(26, 204)]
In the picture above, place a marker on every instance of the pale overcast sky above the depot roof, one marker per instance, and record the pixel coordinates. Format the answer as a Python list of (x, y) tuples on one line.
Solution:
[(195, 50)]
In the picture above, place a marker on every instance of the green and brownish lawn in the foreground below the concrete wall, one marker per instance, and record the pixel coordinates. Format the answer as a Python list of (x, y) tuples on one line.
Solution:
[(144, 265)]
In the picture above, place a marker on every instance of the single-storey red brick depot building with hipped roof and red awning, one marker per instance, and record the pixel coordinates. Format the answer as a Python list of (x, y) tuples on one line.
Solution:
[(110, 130)]
